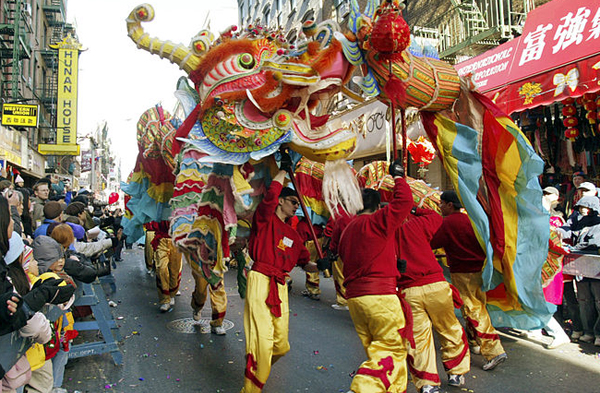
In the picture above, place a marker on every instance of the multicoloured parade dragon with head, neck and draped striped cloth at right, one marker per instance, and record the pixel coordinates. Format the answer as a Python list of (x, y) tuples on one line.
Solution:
[(254, 92)]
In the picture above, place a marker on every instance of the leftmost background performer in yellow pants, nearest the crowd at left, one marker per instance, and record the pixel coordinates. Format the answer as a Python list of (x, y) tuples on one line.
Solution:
[(167, 260)]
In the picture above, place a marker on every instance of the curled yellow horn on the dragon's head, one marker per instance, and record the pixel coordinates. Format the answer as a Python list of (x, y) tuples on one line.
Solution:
[(187, 59)]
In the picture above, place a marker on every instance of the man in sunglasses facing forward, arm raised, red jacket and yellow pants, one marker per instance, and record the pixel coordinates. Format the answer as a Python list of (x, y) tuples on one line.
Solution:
[(275, 248)]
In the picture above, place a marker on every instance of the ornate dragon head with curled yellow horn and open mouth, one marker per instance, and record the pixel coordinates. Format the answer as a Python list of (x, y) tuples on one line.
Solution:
[(256, 91)]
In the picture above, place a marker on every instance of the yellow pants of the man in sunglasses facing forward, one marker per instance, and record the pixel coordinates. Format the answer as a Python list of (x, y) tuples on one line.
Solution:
[(266, 335)]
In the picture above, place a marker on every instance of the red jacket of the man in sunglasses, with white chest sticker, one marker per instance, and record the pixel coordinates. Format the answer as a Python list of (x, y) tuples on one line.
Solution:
[(271, 240)]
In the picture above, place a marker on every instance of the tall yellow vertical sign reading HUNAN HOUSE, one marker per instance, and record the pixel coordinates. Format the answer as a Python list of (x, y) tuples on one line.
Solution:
[(68, 68)]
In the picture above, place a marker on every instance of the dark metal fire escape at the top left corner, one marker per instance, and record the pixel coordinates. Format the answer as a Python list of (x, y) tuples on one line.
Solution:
[(15, 46)]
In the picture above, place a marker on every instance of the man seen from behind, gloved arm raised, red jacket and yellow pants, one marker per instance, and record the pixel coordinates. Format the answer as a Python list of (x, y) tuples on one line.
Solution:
[(367, 248)]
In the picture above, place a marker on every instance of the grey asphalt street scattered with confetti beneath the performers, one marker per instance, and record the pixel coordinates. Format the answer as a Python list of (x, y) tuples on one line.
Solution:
[(171, 353)]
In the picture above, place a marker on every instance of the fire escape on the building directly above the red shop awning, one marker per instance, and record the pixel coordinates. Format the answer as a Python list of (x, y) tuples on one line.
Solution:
[(470, 27)]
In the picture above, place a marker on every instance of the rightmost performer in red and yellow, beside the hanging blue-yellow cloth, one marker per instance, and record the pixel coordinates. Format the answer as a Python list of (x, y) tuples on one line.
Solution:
[(465, 260)]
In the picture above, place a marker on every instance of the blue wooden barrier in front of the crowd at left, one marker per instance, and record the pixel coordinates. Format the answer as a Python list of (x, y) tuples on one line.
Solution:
[(93, 295)]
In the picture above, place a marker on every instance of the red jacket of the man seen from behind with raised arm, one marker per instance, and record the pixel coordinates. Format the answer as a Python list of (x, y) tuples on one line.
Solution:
[(368, 248)]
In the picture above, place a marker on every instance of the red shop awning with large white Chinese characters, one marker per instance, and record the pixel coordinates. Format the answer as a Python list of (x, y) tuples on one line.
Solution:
[(557, 56)]
